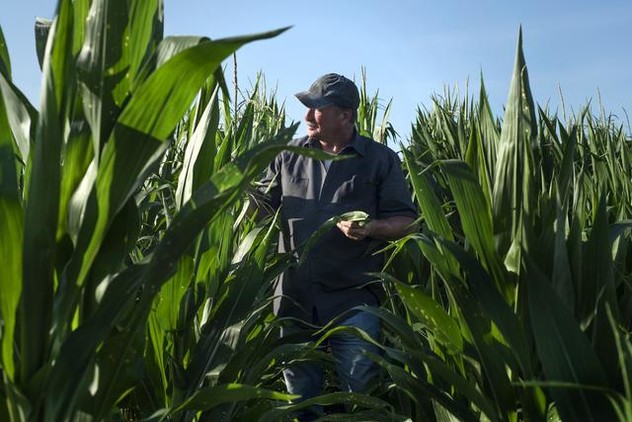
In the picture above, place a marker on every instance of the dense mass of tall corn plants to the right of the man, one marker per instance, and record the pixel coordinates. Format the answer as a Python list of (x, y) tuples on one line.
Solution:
[(526, 252)]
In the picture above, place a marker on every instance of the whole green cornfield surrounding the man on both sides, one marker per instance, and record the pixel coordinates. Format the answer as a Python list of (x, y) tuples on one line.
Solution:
[(135, 286)]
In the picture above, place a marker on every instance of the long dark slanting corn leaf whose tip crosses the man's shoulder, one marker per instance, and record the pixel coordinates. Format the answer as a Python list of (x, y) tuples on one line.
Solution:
[(119, 302)]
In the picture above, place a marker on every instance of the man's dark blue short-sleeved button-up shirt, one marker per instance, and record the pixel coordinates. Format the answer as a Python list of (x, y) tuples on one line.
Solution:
[(334, 277)]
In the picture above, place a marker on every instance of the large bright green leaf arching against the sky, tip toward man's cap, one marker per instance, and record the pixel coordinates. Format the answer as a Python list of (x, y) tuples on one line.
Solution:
[(137, 140)]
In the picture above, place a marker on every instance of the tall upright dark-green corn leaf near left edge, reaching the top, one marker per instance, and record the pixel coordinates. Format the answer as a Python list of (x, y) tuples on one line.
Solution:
[(42, 206)]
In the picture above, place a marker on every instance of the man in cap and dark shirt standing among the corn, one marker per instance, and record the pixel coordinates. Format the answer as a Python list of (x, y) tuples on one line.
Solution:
[(334, 276)]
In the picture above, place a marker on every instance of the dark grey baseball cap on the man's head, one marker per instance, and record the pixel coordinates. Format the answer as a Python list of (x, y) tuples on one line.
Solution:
[(331, 89)]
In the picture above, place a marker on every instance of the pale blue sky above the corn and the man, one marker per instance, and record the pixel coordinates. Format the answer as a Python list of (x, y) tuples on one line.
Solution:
[(411, 49)]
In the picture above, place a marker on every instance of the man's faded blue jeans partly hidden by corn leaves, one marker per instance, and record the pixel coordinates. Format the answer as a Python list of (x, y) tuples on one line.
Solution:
[(355, 370)]
